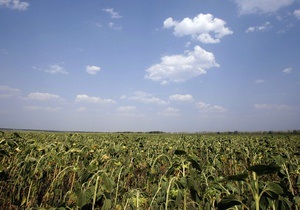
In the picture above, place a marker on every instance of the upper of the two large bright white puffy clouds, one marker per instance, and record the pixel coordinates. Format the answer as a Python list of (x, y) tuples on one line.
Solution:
[(204, 28)]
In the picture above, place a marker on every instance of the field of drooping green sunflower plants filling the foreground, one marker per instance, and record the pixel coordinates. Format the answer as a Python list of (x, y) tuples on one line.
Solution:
[(56, 170)]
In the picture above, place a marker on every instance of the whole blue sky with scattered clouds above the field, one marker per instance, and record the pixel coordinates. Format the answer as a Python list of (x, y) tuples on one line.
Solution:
[(152, 65)]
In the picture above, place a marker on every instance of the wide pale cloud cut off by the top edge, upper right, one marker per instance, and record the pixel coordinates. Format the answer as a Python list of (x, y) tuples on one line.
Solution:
[(261, 6)]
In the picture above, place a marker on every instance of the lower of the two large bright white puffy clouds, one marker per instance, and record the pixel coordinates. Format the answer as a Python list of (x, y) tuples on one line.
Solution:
[(179, 68)]
